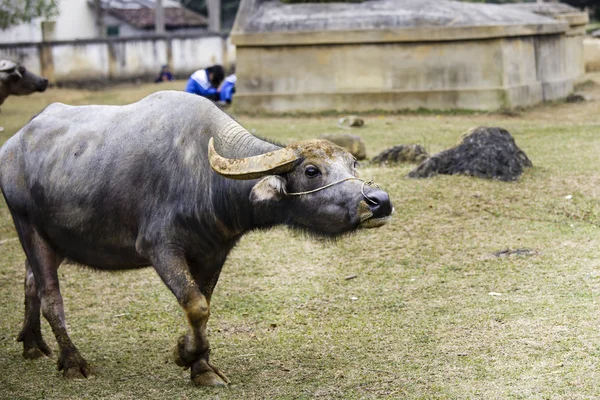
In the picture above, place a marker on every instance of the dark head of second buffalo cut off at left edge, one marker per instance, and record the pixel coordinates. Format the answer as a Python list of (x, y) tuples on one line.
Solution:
[(16, 80)]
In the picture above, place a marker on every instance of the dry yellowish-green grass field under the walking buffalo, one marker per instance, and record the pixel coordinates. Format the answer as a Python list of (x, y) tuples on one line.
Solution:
[(432, 312)]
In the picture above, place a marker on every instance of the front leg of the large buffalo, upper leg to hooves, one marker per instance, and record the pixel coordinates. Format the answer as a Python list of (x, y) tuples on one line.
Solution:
[(192, 349)]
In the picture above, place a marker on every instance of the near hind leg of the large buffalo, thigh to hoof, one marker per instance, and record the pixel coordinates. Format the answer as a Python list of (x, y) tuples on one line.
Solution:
[(44, 262)]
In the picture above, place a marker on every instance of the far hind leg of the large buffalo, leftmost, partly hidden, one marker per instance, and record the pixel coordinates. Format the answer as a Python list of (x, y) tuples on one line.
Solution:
[(31, 333)]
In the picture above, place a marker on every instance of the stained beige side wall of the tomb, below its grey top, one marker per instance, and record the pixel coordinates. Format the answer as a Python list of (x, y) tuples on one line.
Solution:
[(506, 72)]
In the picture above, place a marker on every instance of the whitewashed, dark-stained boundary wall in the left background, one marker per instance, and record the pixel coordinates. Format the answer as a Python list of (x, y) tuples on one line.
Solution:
[(120, 59)]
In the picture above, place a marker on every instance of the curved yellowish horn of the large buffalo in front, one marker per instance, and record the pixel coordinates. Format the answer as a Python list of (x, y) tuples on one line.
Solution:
[(272, 163)]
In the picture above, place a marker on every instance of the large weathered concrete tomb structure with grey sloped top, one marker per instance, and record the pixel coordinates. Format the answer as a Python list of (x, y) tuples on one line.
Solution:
[(401, 54)]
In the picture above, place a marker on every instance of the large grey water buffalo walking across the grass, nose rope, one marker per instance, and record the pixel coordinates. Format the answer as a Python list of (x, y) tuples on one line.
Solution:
[(172, 182)]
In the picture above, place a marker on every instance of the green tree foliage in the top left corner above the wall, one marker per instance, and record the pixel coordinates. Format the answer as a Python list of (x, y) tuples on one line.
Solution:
[(14, 12)]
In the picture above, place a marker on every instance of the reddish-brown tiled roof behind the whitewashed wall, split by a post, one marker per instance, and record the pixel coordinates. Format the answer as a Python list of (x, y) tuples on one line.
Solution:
[(143, 18)]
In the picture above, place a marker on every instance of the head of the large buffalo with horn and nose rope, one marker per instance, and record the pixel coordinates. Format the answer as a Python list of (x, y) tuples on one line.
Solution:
[(312, 185)]
